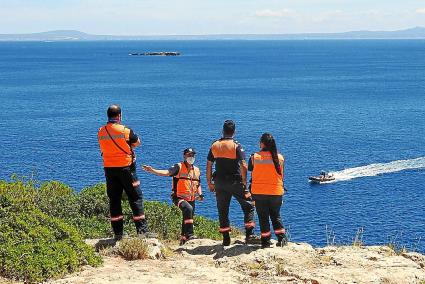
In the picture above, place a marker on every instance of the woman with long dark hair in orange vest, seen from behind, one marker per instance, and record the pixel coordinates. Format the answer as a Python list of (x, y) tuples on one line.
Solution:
[(267, 189)]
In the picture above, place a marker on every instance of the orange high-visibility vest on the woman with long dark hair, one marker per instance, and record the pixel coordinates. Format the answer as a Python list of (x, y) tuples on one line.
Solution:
[(265, 179)]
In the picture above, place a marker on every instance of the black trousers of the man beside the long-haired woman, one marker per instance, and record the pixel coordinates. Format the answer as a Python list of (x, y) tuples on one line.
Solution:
[(224, 191)]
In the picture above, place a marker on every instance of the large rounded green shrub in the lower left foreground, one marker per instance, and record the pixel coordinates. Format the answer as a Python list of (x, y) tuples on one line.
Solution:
[(33, 245)]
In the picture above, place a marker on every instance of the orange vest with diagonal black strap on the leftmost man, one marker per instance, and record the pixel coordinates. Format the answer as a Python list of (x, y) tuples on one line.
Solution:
[(118, 154)]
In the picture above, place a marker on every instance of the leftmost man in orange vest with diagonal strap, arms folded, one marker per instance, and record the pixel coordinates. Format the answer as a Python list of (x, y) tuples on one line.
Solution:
[(116, 143)]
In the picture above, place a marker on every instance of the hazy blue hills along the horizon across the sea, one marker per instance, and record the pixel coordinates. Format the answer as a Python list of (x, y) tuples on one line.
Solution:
[(71, 35)]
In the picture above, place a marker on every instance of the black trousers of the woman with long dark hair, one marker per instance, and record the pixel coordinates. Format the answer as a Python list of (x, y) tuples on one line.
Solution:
[(268, 207)]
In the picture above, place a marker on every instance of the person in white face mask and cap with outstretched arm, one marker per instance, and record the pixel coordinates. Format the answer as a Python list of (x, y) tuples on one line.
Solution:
[(186, 189)]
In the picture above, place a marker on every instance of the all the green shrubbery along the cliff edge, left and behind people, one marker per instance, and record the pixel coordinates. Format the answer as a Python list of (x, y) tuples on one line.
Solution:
[(44, 225)]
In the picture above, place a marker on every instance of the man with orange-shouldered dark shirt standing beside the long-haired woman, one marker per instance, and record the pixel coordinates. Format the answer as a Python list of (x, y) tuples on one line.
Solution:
[(229, 179)]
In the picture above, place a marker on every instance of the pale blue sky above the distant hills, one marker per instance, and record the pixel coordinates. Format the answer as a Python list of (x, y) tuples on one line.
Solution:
[(191, 17)]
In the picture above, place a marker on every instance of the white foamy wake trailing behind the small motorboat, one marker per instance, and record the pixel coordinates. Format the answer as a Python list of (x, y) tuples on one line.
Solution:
[(379, 169)]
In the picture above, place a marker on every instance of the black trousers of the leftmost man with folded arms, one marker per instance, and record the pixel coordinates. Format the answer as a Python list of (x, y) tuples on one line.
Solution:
[(117, 180)]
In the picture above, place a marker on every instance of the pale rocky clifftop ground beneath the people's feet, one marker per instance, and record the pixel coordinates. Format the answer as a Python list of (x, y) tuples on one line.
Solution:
[(206, 261)]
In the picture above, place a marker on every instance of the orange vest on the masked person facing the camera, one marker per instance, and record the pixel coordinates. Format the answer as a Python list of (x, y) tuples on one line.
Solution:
[(186, 182)]
